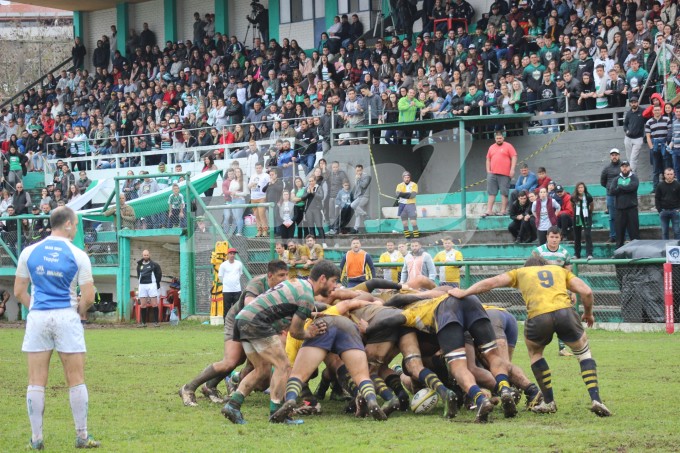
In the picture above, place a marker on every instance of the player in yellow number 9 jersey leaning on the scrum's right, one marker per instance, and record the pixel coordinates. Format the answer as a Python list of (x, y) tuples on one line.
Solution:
[(544, 289)]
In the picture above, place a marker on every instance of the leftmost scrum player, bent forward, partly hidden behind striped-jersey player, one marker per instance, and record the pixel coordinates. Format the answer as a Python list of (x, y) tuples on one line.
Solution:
[(277, 271)]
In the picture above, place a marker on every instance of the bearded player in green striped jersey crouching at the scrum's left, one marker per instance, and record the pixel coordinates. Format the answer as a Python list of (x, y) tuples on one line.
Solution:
[(258, 325)]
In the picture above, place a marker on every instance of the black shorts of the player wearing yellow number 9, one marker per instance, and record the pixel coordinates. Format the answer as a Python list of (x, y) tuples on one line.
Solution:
[(564, 322)]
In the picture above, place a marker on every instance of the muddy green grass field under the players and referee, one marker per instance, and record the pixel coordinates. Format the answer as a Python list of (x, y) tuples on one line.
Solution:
[(133, 376)]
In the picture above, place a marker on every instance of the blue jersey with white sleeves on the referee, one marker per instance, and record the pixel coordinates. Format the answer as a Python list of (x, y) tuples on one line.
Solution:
[(55, 267)]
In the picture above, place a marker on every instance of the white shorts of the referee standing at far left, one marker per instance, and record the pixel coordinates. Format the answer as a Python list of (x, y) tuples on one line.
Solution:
[(60, 329)]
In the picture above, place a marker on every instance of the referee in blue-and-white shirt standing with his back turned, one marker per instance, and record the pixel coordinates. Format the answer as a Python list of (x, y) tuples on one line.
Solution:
[(54, 267)]
